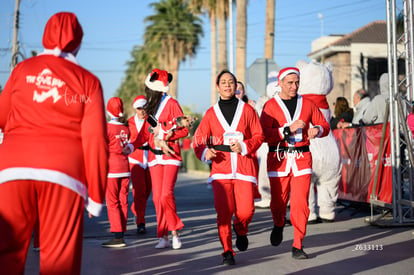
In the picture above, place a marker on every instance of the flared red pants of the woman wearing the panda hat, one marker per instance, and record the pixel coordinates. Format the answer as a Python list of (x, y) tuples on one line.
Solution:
[(163, 182)]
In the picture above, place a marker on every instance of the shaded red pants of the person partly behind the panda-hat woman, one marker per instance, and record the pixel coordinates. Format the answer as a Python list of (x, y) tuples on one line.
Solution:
[(141, 189)]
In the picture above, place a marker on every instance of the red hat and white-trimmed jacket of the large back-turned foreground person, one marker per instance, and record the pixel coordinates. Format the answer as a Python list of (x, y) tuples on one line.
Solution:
[(53, 117)]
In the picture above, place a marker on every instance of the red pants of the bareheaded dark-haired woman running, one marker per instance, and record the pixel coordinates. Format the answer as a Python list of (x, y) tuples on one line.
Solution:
[(233, 197)]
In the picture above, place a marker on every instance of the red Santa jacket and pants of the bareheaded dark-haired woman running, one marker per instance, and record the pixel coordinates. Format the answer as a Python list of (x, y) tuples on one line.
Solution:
[(233, 175)]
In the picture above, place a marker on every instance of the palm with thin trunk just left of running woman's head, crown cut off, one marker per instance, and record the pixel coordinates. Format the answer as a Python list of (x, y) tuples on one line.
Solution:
[(209, 6)]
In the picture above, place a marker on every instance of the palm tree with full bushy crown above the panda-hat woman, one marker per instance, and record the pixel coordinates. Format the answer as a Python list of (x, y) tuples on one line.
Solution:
[(176, 32)]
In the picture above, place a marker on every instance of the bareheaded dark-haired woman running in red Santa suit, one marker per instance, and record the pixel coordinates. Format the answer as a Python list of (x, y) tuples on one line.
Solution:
[(229, 135)]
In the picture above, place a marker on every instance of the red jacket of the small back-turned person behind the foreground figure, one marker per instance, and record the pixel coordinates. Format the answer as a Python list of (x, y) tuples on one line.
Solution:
[(118, 136)]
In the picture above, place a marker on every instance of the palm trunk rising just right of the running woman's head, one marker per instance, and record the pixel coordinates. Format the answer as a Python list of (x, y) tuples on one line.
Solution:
[(241, 37)]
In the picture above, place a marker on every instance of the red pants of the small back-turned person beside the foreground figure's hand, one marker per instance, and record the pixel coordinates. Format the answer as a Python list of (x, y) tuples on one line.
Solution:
[(117, 203)]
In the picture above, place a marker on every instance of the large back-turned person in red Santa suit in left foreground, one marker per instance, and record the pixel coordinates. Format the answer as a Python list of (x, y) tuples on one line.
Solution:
[(54, 156)]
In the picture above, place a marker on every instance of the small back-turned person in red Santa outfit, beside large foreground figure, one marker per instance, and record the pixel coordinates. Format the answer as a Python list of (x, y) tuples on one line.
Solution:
[(118, 173)]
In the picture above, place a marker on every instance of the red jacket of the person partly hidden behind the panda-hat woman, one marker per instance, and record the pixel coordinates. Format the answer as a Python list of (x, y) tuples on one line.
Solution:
[(137, 127)]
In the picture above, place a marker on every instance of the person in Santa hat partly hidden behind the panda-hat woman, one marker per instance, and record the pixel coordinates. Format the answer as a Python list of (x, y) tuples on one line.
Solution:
[(138, 164)]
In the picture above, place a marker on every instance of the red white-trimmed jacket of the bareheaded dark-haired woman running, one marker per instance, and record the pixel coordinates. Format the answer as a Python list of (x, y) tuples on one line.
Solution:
[(211, 132)]
